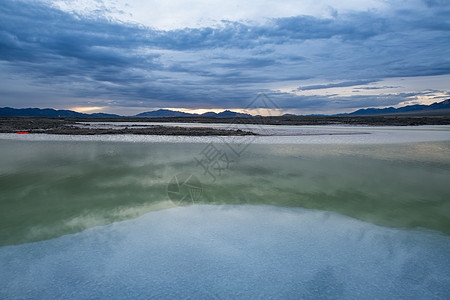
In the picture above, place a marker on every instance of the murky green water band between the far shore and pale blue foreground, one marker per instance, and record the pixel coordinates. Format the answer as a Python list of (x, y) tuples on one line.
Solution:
[(49, 189)]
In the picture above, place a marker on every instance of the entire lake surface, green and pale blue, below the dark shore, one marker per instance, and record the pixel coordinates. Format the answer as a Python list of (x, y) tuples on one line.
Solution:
[(307, 216)]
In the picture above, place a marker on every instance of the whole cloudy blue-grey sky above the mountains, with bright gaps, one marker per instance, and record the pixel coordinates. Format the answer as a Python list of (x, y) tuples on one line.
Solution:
[(308, 56)]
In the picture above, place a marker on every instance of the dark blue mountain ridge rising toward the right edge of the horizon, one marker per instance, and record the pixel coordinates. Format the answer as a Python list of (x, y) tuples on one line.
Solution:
[(435, 108)]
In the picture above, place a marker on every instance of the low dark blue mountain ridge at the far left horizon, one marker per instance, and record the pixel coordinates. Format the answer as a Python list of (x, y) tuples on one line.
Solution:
[(47, 112)]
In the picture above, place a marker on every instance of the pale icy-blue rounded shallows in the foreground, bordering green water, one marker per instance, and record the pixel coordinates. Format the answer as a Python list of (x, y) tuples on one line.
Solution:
[(231, 252)]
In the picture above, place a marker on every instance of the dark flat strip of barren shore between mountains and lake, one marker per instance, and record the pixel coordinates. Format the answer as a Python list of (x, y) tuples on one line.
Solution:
[(75, 126)]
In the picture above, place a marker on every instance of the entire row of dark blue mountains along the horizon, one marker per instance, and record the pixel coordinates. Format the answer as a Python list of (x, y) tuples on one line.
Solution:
[(433, 109)]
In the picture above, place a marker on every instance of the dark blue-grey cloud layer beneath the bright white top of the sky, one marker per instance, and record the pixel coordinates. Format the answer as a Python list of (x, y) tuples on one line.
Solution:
[(222, 66)]
